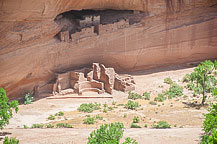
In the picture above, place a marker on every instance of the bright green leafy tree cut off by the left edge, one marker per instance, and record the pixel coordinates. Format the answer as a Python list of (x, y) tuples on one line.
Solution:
[(6, 108)]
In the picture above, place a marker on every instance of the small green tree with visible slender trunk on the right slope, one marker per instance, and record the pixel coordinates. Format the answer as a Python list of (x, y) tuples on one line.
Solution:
[(203, 77)]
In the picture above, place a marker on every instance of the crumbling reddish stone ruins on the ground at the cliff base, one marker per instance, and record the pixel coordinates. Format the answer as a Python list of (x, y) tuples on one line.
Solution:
[(96, 79)]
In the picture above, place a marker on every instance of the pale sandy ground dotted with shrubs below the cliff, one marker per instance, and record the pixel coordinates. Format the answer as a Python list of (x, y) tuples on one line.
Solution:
[(186, 121)]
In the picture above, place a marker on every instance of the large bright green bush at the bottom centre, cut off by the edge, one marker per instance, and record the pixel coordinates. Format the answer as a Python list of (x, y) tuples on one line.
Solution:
[(107, 134)]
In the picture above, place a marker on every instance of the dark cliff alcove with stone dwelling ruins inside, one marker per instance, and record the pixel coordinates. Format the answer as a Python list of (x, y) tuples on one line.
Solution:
[(73, 21)]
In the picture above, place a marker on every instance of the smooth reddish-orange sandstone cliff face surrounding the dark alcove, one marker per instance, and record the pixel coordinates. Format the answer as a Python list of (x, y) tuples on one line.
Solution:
[(173, 32)]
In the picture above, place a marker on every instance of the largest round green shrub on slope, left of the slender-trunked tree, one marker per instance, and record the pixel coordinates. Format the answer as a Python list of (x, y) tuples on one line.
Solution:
[(174, 91)]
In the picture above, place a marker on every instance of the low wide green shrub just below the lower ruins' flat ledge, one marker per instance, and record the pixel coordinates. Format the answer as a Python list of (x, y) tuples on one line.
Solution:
[(89, 107)]
